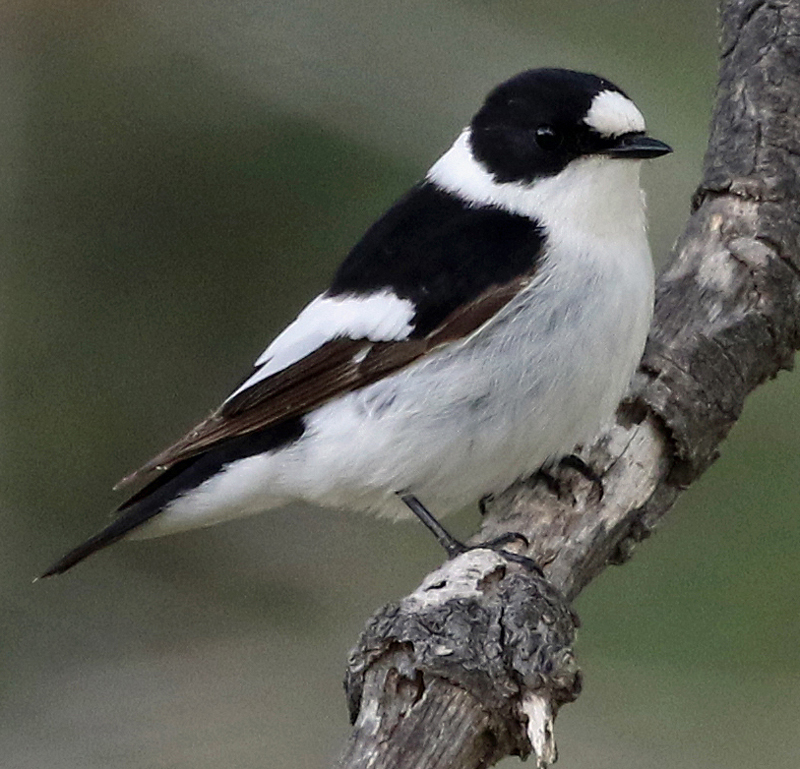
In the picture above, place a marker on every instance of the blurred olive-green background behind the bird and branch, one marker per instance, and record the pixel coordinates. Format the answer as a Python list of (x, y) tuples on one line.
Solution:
[(178, 179)]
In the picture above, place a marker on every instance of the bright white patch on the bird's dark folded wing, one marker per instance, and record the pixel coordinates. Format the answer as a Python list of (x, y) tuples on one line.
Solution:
[(379, 317)]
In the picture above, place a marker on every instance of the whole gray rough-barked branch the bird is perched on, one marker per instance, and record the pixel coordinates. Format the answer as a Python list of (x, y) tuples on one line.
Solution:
[(475, 663)]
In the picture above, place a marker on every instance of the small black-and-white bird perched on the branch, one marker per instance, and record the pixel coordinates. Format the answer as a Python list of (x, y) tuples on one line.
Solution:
[(483, 326)]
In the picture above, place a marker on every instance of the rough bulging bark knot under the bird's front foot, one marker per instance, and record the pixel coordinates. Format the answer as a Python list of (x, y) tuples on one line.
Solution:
[(498, 634)]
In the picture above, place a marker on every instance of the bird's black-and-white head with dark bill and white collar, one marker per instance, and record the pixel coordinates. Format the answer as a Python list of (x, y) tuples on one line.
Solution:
[(558, 146)]
